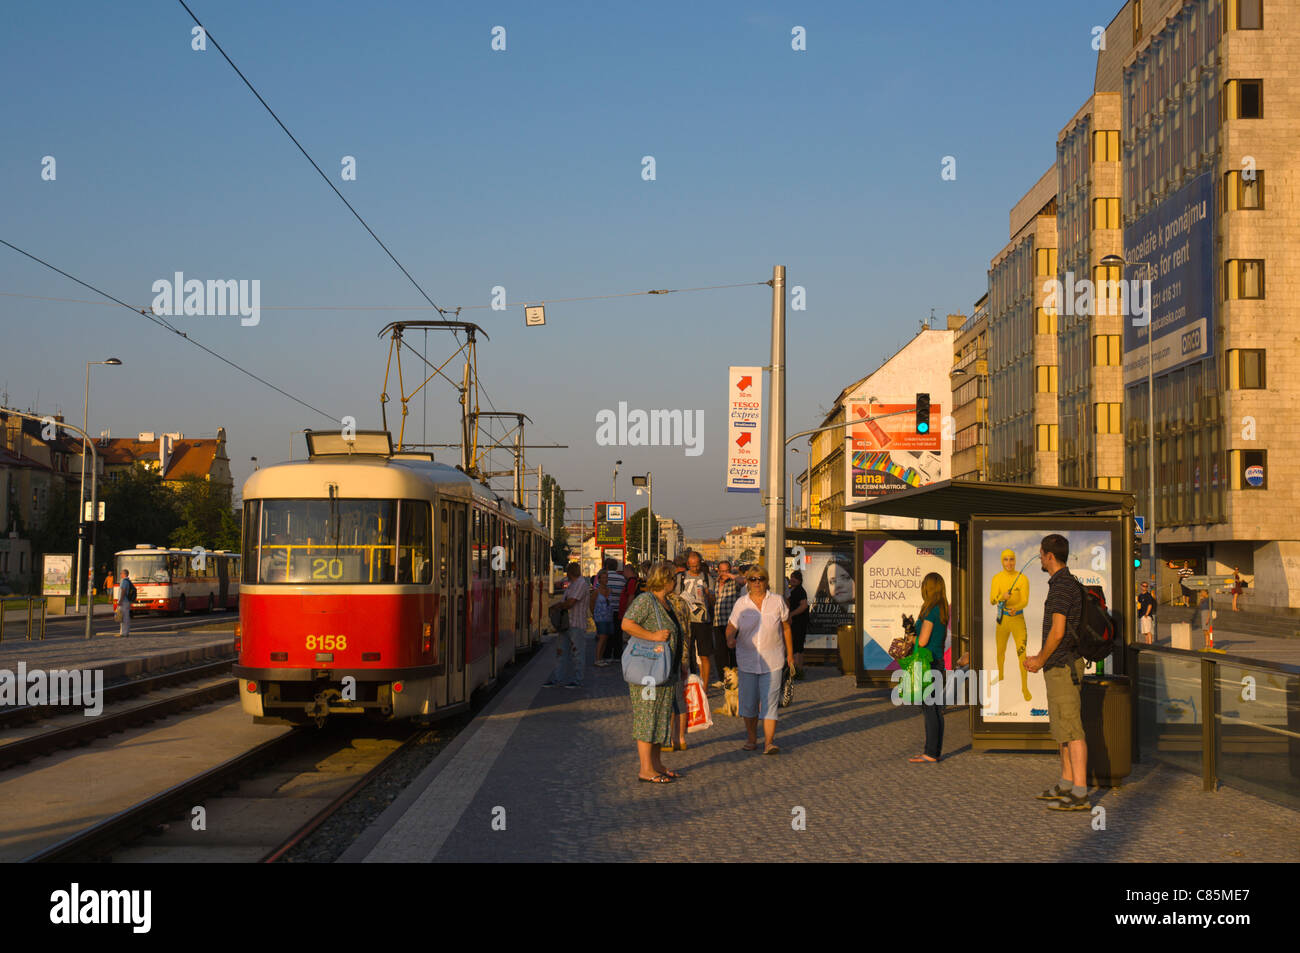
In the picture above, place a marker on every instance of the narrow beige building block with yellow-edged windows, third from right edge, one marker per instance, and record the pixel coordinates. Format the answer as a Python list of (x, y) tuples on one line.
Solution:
[(1022, 354)]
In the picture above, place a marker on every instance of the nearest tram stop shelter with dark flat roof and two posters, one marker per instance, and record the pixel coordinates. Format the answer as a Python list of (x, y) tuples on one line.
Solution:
[(996, 588)]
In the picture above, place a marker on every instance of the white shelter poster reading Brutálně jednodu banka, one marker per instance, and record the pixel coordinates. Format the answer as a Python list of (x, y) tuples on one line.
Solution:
[(891, 568)]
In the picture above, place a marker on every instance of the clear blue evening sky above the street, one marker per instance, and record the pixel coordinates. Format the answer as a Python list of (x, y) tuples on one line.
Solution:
[(522, 170)]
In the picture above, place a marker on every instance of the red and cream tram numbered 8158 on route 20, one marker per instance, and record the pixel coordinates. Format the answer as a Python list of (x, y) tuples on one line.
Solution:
[(380, 583)]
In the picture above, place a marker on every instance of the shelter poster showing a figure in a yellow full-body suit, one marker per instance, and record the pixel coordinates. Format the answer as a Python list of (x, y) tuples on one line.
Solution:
[(1011, 591)]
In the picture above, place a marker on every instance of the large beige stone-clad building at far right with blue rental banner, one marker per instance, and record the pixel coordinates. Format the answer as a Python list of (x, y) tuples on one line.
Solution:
[(1210, 119)]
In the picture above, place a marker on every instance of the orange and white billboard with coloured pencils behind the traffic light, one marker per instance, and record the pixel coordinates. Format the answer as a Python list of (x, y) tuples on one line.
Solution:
[(886, 454)]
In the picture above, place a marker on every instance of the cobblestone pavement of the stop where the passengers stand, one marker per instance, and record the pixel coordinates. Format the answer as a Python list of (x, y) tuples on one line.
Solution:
[(562, 765)]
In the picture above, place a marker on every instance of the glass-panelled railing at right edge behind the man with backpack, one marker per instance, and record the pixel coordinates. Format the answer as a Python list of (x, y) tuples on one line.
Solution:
[(1232, 720)]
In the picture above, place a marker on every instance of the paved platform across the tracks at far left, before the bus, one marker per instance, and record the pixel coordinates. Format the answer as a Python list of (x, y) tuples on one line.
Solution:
[(154, 646)]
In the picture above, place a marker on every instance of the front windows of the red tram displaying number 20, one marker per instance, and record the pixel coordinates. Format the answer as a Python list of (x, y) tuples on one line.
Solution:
[(341, 542)]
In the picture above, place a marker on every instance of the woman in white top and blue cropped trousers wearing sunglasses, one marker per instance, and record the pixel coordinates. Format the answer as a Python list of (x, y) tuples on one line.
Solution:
[(760, 633)]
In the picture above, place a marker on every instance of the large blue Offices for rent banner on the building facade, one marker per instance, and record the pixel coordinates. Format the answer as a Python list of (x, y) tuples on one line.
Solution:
[(1177, 240)]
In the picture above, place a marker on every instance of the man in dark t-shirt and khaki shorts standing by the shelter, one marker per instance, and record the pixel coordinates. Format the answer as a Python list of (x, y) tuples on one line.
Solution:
[(1063, 672)]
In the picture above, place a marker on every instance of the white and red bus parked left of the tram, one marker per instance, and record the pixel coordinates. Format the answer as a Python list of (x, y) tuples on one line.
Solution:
[(176, 581)]
